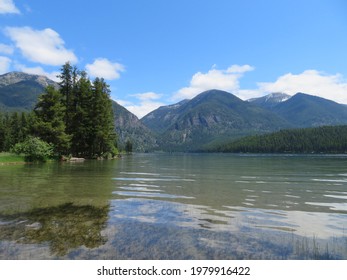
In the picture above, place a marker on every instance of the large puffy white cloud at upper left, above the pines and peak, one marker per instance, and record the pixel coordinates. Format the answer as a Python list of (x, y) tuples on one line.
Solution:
[(42, 46)]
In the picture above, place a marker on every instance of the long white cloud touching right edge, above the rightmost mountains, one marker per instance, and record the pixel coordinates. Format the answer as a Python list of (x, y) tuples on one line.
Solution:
[(313, 82)]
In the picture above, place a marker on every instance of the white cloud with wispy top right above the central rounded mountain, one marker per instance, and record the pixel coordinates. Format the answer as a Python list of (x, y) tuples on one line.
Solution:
[(227, 80)]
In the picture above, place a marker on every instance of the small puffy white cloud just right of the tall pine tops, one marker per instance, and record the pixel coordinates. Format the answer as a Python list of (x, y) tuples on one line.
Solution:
[(102, 67)]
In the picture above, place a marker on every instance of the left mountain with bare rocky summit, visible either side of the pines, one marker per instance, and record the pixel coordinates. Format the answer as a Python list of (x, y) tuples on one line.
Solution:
[(20, 91)]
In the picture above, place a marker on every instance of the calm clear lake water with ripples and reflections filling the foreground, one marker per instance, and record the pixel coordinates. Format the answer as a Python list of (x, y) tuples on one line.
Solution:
[(176, 206)]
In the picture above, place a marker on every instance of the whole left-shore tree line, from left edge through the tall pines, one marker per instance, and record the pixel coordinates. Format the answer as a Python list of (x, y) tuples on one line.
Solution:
[(75, 119)]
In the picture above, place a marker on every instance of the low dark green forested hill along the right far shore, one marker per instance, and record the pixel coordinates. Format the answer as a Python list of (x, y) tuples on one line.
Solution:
[(326, 139)]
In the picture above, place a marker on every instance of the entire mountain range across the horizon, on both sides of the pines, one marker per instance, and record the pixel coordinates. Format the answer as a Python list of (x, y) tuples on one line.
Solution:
[(213, 116)]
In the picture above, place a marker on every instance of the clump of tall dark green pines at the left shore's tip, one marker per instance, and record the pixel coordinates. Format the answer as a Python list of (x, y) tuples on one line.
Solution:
[(78, 118)]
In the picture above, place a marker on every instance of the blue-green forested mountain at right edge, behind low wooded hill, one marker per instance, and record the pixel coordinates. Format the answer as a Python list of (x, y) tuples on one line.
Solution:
[(304, 110)]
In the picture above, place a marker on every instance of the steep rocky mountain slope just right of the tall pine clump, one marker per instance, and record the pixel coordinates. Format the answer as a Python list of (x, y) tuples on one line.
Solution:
[(129, 127)]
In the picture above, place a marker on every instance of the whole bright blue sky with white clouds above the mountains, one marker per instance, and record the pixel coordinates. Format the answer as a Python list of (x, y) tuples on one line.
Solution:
[(159, 52)]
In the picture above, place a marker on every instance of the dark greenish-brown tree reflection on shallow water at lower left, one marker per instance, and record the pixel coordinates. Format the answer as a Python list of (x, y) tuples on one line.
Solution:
[(63, 227)]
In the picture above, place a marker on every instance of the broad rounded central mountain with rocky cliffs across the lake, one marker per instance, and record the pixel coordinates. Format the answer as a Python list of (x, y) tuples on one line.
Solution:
[(210, 117)]
